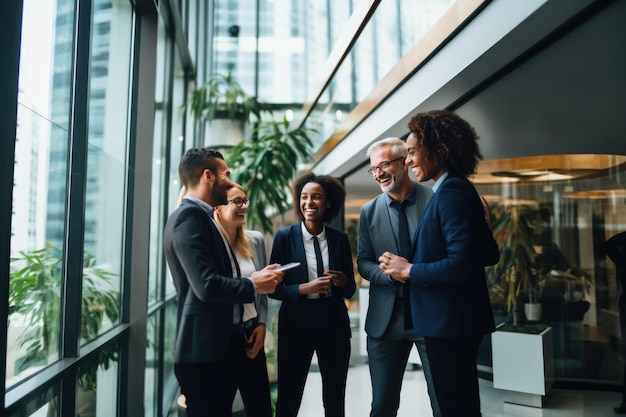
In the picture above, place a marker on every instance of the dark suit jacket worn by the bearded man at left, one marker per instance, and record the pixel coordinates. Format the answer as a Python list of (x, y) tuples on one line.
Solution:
[(200, 266)]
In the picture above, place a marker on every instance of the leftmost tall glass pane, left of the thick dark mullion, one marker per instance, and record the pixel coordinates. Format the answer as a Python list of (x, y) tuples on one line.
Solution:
[(39, 188)]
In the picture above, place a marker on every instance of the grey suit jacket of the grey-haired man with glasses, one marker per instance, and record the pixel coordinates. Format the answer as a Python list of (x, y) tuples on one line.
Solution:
[(376, 237)]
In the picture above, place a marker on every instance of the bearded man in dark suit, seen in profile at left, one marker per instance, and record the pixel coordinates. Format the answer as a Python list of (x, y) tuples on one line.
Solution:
[(210, 344)]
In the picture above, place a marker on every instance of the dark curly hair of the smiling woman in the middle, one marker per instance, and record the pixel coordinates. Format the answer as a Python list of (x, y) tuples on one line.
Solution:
[(333, 188)]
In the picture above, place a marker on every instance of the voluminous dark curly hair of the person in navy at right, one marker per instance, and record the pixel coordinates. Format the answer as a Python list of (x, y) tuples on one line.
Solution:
[(448, 139)]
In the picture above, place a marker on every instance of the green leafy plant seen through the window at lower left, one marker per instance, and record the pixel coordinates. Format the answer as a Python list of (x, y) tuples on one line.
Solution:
[(35, 294)]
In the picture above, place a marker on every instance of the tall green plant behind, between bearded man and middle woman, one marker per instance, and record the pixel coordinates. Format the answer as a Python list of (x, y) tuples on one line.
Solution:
[(265, 164)]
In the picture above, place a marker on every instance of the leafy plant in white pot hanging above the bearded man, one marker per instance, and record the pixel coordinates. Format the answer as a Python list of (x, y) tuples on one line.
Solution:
[(225, 107)]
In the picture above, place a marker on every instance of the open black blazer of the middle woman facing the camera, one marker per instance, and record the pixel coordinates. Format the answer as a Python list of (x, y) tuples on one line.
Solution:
[(288, 247)]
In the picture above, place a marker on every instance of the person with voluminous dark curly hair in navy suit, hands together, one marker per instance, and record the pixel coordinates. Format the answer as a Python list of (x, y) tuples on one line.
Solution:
[(449, 301)]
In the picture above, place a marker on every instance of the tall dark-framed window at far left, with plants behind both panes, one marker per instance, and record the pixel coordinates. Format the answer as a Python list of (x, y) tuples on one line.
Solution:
[(68, 244)]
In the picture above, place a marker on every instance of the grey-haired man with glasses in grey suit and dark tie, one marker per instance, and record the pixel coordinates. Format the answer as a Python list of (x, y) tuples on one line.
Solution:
[(388, 342)]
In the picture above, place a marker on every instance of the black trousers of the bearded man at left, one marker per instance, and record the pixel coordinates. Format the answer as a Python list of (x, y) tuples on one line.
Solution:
[(210, 388)]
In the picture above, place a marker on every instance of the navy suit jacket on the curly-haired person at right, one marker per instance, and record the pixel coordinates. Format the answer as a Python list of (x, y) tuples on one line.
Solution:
[(448, 288)]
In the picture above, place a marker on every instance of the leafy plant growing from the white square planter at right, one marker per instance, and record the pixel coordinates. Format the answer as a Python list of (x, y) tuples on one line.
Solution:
[(515, 277)]
